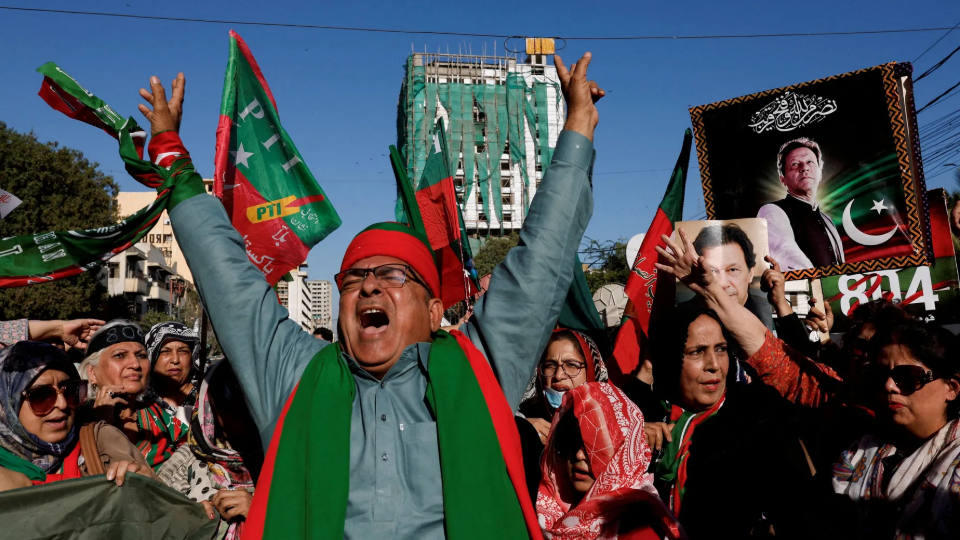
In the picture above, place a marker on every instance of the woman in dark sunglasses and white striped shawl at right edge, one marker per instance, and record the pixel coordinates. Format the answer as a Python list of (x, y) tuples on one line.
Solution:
[(904, 480)]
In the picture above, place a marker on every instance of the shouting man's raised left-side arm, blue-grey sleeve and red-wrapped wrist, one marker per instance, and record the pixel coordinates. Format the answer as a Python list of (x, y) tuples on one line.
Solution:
[(267, 350)]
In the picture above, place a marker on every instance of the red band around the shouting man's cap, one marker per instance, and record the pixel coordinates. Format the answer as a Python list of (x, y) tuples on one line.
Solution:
[(395, 240)]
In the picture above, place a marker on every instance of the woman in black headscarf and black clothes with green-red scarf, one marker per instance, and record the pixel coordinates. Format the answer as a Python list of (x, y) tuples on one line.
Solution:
[(715, 474)]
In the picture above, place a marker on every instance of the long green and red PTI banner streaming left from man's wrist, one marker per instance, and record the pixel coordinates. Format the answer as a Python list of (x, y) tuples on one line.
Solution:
[(47, 256)]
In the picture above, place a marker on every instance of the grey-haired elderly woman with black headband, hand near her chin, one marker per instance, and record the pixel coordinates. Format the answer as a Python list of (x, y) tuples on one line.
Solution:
[(118, 369)]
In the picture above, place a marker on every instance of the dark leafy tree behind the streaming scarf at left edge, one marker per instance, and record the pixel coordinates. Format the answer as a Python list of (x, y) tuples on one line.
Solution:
[(60, 190)]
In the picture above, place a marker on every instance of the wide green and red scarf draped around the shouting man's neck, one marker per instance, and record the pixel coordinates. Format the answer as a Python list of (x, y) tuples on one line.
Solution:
[(480, 462)]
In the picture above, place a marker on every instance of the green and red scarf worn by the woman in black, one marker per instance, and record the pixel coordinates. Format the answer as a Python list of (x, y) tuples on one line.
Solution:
[(672, 469)]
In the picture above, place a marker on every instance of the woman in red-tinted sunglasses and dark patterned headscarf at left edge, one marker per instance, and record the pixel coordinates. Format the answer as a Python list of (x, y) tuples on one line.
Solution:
[(40, 391)]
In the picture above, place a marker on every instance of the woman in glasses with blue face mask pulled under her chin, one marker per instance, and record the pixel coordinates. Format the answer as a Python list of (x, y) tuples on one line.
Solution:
[(570, 359)]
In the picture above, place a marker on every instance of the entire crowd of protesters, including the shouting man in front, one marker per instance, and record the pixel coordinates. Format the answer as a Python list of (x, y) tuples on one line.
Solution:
[(736, 425)]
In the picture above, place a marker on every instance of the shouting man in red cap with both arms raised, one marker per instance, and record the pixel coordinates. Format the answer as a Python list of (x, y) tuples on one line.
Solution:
[(399, 430)]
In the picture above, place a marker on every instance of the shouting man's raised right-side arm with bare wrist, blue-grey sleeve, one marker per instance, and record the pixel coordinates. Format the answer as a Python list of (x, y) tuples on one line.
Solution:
[(513, 320)]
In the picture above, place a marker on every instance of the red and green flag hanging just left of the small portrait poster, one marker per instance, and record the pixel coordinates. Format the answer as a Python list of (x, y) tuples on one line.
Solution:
[(641, 286)]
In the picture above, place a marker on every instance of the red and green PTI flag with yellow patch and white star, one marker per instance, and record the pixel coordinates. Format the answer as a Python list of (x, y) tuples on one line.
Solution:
[(273, 200)]
